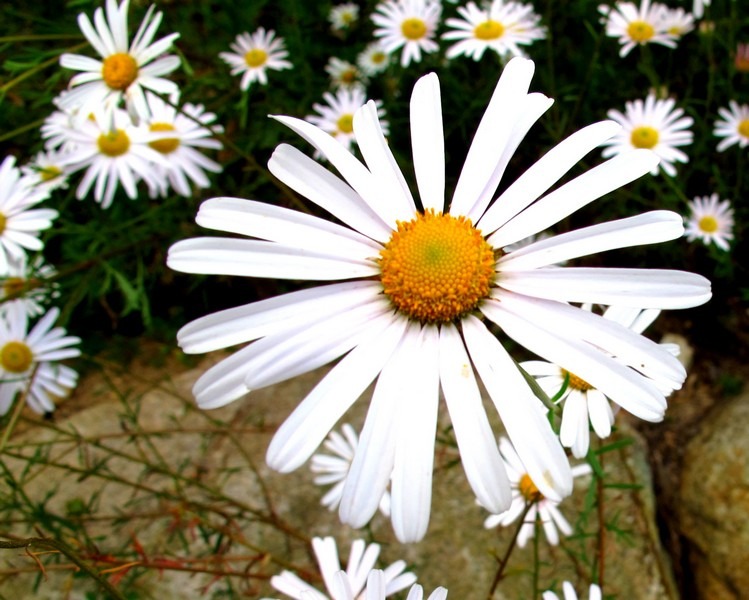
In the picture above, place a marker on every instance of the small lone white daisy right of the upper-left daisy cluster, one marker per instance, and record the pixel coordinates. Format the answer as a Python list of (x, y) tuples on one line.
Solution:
[(253, 54)]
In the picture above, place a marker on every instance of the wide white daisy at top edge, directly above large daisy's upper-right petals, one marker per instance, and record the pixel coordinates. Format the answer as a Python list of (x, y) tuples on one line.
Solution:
[(501, 26)]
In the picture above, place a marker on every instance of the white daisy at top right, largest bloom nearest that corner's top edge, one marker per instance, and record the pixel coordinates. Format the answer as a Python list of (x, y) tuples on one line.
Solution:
[(636, 26)]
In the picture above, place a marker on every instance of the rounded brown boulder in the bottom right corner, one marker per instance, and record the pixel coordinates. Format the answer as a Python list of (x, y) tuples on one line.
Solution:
[(714, 508)]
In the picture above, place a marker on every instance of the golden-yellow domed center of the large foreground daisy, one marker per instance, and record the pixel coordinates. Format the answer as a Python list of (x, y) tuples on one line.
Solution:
[(436, 267)]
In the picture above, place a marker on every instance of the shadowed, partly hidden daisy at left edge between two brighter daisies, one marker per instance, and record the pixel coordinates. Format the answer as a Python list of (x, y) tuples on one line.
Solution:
[(26, 284)]
